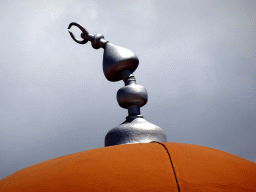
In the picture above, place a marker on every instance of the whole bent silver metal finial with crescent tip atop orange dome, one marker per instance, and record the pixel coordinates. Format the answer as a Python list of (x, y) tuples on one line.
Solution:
[(118, 64)]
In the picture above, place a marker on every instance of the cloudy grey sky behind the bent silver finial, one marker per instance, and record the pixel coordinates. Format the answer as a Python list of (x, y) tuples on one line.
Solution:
[(197, 62)]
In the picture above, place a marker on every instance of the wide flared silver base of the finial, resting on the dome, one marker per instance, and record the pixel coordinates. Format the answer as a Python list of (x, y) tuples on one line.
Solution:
[(134, 130)]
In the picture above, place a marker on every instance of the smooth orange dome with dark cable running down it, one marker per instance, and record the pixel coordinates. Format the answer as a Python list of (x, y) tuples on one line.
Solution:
[(138, 167)]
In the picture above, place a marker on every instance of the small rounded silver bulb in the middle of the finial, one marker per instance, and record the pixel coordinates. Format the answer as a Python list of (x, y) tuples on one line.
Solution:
[(132, 95)]
